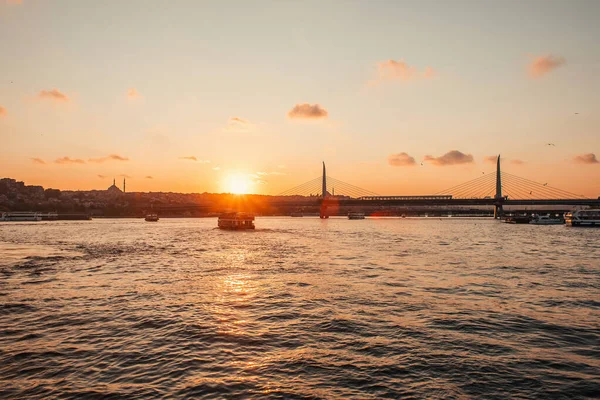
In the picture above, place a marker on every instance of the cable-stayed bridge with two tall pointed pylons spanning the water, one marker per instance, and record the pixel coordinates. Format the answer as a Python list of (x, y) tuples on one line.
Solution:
[(498, 189)]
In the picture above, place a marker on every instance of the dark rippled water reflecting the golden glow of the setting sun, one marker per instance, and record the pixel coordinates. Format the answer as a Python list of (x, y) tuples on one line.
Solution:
[(300, 308)]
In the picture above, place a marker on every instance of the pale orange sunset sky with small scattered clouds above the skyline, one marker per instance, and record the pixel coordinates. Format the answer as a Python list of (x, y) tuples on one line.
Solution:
[(397, 97)]
